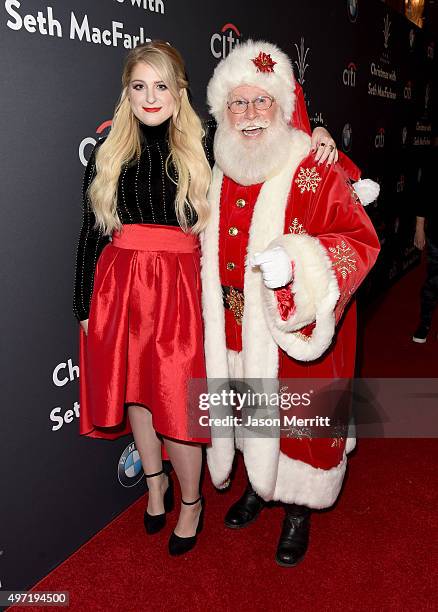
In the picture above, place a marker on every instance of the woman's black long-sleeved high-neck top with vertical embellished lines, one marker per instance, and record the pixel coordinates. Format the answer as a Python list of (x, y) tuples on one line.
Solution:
[(146, 194)]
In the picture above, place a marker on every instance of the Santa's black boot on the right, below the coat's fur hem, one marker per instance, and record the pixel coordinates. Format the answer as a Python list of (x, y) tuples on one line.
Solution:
[(294, 537)]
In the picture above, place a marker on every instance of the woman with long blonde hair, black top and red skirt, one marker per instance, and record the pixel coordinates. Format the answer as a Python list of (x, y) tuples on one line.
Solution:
[(137, 289)]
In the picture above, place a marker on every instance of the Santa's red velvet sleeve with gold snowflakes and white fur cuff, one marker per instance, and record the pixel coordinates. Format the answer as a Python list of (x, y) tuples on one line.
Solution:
[(333, 245)]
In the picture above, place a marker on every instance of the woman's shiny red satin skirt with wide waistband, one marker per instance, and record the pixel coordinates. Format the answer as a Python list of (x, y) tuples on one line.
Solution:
[(145, 333)]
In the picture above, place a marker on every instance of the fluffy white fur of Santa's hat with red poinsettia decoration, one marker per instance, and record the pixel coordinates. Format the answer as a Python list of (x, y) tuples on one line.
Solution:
[(257, 63)]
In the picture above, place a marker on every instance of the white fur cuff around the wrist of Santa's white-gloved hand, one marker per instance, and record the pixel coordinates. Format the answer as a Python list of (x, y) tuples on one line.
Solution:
[(316, 292)]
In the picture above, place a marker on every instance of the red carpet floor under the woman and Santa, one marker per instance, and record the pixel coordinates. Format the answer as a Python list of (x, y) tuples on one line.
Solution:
[(375, 550)]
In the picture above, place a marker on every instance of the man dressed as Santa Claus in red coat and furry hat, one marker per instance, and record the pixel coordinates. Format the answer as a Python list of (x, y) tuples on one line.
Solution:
[(287, 246)]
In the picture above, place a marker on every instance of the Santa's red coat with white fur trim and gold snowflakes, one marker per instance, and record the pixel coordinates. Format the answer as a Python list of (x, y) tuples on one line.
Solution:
[(313, 213)]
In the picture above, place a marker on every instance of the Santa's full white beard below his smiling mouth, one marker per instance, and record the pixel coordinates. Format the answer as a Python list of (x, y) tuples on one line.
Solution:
[(249, 161)]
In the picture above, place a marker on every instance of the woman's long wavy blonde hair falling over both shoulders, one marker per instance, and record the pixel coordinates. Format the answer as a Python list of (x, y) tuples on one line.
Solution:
[(185, 140)]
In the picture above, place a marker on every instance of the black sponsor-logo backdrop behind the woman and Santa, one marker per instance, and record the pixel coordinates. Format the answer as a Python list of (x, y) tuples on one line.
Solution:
[(367, 75)]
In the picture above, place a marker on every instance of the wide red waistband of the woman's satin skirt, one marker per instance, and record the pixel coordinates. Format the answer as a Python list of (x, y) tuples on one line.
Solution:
[(143, 237)]
